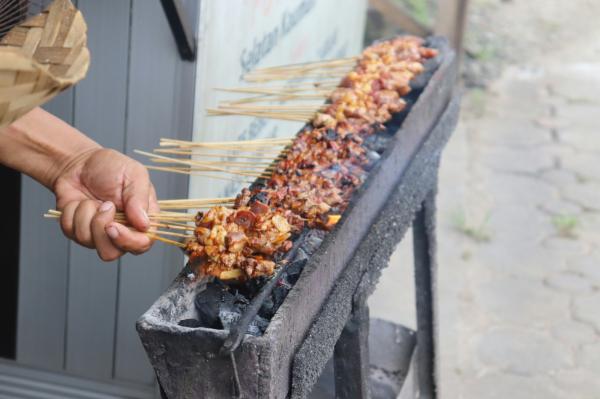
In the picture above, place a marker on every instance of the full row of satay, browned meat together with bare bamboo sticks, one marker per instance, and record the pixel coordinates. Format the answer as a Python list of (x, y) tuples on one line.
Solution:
[(296, 183)]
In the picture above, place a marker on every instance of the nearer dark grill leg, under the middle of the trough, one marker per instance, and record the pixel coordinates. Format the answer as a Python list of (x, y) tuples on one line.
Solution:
[(351, 355)]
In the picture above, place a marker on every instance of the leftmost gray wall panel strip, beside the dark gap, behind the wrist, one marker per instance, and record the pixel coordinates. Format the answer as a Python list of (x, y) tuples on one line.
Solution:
[(43, 270)]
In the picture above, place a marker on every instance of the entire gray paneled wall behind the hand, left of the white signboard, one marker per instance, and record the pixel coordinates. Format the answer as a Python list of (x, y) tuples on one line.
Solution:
[(77, 313)]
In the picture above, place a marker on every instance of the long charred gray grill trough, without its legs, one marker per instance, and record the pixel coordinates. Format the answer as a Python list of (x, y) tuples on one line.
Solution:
[(288, 359)]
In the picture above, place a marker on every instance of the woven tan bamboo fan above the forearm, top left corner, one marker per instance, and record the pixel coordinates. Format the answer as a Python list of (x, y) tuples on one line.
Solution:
[(40, 57)]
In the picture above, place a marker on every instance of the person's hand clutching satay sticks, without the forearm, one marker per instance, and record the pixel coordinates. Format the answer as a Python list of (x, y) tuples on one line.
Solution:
[(91, 187)]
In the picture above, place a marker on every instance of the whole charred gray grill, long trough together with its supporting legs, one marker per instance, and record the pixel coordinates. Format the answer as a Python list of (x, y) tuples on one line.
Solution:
[(325, 314)]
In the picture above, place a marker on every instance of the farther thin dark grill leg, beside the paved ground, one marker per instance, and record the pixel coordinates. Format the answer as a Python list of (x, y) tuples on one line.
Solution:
[(424, 248)]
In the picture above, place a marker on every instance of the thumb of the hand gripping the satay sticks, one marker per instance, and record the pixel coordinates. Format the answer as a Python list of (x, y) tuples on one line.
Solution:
[(136, 194)]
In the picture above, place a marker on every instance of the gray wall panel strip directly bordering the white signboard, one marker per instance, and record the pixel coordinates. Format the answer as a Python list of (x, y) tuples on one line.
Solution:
[(157, 76)]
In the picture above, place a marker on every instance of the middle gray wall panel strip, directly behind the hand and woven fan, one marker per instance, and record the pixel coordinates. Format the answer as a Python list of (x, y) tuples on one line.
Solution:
[(99, 113)]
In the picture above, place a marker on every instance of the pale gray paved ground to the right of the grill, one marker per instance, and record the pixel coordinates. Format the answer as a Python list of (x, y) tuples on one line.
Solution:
[(519, 233)]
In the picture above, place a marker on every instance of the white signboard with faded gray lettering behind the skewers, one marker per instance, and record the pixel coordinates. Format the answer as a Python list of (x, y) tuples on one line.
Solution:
[(238, 36)]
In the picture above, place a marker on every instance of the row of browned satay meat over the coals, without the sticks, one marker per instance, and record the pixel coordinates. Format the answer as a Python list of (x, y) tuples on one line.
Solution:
[(313, 181)]
